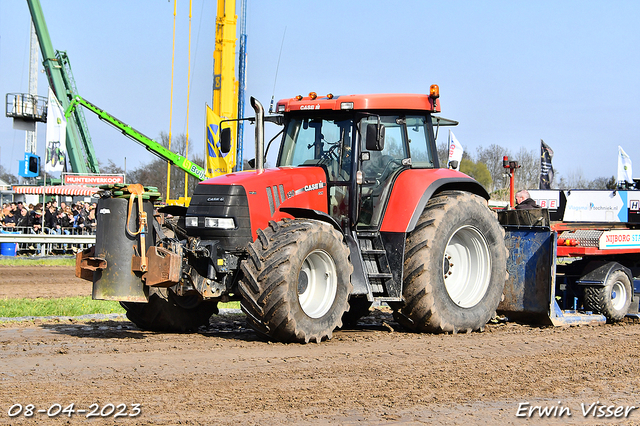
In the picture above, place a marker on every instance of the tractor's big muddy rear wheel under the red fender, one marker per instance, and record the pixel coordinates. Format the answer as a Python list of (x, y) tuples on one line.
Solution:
[(455, 266)]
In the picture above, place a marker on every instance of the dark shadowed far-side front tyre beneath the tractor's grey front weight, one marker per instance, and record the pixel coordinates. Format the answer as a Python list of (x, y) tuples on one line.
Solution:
[(168, 312)]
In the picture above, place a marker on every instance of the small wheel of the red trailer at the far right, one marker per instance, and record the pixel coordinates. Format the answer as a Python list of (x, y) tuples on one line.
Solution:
[(612, 300)]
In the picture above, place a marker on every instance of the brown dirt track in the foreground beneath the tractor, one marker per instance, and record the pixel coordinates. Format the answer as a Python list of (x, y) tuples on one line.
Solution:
[(376, 374)]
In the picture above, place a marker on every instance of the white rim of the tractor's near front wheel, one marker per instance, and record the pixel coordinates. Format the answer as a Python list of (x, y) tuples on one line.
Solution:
[(317, 284)]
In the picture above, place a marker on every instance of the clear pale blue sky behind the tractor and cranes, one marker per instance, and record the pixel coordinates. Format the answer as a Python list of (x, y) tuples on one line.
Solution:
[(511, 72)]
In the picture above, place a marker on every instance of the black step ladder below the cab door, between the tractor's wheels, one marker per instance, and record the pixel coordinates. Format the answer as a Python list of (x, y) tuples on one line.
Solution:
[(376, 266)]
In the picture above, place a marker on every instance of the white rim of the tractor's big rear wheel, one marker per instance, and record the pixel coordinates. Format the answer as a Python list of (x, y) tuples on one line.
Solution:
[(467, 267)]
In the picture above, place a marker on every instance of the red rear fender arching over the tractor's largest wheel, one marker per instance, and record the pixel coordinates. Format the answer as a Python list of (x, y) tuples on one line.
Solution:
[(412, 190)]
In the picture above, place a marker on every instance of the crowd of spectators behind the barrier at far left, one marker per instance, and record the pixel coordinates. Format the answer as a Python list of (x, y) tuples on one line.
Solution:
[(77, 218)]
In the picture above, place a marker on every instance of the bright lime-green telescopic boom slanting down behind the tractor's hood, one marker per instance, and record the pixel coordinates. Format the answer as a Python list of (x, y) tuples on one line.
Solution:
[(151, 145)]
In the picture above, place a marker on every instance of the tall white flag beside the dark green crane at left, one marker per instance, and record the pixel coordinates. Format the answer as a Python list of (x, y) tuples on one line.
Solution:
[(56, 153)]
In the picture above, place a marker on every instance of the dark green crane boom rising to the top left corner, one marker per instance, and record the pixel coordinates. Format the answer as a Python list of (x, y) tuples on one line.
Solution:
[(58, 69)]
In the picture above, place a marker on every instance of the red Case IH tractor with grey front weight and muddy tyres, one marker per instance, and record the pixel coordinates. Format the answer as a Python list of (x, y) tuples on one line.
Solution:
[(356, 210)]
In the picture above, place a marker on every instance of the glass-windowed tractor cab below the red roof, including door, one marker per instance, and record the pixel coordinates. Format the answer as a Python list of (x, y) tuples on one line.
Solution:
[(361, 152)]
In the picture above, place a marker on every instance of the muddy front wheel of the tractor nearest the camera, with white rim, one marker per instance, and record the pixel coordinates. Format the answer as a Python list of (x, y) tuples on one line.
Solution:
[(296, 281)]
